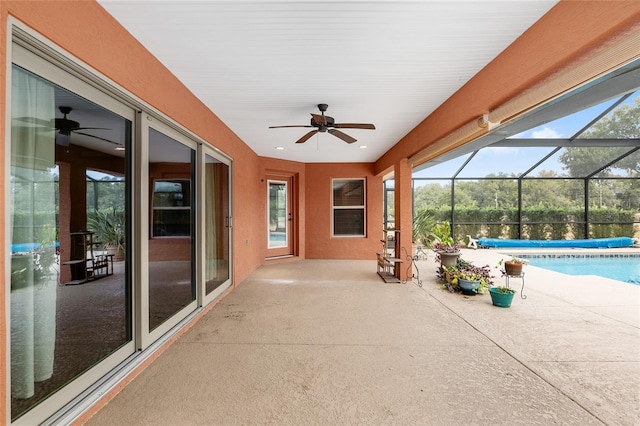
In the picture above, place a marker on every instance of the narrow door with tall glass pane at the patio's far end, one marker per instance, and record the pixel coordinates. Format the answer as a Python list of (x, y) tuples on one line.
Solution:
[(280, 223)]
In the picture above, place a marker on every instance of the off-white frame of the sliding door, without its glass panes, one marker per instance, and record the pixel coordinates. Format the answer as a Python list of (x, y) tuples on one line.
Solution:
[(35, 53)]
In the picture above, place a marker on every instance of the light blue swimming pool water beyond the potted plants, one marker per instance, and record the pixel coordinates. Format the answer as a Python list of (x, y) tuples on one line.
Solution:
[(622, 267)]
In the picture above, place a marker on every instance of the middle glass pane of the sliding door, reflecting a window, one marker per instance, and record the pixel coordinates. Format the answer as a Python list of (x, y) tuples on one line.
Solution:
[(171, 277)]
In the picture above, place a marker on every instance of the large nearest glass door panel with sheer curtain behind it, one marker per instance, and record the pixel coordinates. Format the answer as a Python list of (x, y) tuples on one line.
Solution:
[(70, 299)]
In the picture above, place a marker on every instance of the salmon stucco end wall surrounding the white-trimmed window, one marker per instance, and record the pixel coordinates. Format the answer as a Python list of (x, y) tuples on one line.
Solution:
[(319, 242)]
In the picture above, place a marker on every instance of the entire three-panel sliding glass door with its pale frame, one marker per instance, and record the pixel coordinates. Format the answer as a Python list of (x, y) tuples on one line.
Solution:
[(120, 228)]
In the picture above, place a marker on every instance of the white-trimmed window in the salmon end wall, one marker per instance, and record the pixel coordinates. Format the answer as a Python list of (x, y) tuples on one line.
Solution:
[(348, 207)]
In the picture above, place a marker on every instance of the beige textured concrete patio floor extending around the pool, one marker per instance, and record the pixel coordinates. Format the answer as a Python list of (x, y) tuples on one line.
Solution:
[(323, 342)]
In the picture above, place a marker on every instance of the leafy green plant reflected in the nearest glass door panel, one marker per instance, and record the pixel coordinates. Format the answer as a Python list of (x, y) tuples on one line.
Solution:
[(108, 227)]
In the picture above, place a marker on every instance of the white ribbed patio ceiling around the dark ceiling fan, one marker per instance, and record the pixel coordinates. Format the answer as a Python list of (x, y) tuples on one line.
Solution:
[(257, 64)]
